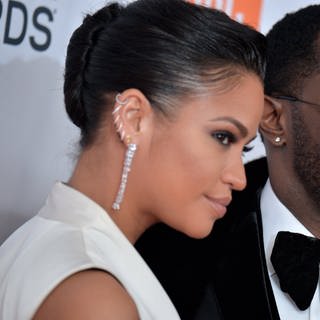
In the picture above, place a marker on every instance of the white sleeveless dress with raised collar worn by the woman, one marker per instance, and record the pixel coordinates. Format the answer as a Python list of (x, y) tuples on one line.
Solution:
[(72, 233)]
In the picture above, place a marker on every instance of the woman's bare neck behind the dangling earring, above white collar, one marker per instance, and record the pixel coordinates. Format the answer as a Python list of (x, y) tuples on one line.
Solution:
[(99, 179)]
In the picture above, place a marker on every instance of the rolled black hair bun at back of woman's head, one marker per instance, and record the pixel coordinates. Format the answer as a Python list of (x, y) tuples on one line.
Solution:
[(80, 46)]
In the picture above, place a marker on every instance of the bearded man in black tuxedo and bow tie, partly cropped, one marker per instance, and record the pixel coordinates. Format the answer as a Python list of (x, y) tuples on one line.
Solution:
[(235, 272)]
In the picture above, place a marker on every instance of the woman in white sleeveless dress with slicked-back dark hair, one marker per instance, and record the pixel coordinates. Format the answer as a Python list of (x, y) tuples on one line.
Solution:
[(167, 96)]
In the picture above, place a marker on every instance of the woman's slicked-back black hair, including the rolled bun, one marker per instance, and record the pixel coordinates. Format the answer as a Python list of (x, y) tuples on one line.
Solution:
[(165, 48)]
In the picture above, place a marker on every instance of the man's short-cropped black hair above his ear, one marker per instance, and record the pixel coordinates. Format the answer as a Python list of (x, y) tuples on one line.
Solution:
[(293, 51)]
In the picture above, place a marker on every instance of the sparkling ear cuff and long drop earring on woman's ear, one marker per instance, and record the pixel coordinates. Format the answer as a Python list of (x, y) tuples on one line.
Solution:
[(131, 149)]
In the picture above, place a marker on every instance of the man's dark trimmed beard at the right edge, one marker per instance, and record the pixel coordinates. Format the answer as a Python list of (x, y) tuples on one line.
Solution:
[(306, 157)]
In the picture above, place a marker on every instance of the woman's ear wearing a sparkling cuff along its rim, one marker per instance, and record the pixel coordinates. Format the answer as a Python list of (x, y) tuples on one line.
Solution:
[(131, 113)]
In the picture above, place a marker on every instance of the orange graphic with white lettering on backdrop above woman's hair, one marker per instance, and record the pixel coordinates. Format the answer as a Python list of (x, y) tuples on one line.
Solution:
[(244, 11)]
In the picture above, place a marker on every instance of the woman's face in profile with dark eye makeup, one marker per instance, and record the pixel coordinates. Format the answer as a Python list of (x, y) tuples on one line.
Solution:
[(195, 161)]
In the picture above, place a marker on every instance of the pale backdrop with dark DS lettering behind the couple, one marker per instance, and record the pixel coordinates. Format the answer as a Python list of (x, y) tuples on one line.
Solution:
[(38, 144)]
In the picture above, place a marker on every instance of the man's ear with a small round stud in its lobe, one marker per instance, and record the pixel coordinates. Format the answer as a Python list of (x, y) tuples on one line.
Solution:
[(273, 125)]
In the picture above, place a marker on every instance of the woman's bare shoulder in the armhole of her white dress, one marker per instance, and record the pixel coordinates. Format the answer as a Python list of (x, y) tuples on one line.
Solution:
[(90, 294)]
